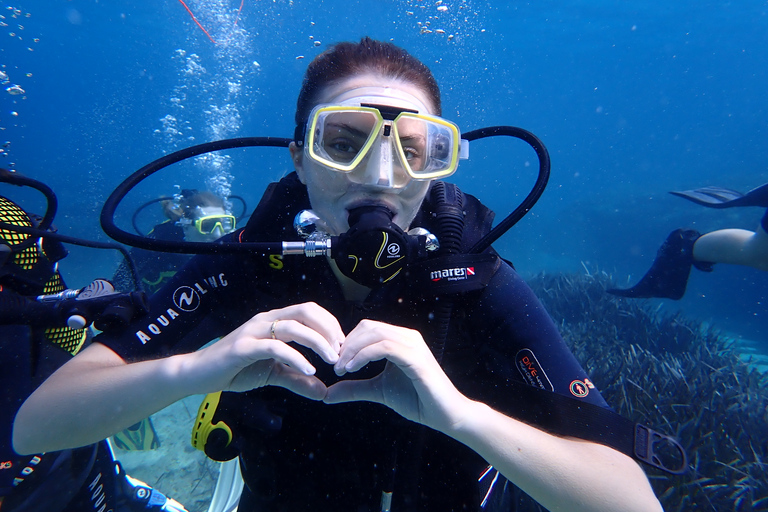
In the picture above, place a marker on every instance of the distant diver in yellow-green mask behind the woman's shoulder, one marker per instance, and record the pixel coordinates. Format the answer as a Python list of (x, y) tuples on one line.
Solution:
[(195, 217)]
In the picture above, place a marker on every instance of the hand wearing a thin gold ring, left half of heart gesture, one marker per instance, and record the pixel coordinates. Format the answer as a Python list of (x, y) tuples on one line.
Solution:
[(249, 357)]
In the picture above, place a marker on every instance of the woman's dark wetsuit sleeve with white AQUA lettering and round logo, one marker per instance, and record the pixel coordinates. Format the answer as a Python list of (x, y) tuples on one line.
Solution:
[(181, 314)]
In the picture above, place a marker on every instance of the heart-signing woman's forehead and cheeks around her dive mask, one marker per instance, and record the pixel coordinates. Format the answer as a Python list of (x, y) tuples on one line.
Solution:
[(332, 193)]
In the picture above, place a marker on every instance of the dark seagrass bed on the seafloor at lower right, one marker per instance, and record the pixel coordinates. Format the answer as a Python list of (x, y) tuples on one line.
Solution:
[(675, 375)]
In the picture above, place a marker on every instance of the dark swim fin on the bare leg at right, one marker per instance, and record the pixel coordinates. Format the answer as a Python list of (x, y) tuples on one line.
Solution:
[(668, 276)]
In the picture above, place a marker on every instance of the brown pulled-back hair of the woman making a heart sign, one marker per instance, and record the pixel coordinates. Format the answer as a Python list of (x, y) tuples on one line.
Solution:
[(346, 59)]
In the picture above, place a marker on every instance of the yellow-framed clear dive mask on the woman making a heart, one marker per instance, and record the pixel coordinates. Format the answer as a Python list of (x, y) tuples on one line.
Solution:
[(382, 145)]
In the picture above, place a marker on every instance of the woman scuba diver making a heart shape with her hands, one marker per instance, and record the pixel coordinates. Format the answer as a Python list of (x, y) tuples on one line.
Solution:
[(311, 352)]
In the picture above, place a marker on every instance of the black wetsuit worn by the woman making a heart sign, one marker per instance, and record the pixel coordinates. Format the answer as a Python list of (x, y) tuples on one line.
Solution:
[(298, 454)]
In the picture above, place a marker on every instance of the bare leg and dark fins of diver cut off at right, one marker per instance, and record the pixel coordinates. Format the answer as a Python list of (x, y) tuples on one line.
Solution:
[(683, 248)]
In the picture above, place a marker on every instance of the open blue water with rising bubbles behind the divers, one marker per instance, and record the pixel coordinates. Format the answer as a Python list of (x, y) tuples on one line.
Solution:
[(633, 99)]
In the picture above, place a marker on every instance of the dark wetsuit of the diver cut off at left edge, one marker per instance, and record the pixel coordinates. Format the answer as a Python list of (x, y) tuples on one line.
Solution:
[(33, 344)]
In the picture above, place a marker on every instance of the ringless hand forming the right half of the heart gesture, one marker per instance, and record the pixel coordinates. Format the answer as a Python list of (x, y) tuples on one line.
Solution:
[(412, 384)]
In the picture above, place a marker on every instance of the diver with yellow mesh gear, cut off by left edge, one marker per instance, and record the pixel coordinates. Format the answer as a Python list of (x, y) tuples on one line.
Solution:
[(34, 341)]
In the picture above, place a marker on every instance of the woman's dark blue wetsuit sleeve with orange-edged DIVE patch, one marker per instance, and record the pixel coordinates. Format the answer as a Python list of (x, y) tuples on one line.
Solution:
[(520, 342)]
